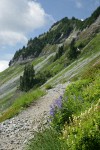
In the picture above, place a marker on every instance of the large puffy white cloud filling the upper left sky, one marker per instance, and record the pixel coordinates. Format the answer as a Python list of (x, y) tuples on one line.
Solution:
[(19, 17)]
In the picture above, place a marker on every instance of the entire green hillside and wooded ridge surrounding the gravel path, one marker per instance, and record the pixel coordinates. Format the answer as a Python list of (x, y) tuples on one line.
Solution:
[(68, 53)]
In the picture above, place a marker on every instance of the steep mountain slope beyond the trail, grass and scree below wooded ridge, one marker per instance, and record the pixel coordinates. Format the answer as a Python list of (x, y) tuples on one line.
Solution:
[(50, 60)]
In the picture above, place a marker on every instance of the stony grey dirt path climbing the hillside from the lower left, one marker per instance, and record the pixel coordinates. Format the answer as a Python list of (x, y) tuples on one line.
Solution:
[(15, 132)]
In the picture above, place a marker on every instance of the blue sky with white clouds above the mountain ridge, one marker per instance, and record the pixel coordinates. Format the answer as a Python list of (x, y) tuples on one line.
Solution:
[(21, 20)]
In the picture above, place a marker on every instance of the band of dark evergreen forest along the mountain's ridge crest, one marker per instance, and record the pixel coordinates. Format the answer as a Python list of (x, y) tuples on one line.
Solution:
[(55, 36)]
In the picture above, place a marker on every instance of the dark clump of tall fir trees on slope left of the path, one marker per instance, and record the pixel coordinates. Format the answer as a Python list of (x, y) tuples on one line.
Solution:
[(27, 81)]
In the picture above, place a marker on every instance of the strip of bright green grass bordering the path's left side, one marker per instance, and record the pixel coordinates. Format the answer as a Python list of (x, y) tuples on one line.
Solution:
[(21, 103)]
